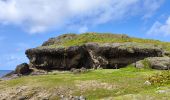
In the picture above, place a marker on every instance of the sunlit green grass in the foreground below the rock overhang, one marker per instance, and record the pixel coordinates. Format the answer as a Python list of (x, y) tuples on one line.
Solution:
[(95, 84)]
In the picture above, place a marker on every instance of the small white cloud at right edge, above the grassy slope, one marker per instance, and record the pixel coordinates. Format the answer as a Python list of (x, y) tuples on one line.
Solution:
[(160, 29)]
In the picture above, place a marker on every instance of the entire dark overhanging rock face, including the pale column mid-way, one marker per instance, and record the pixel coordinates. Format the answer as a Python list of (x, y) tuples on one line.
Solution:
[(91, 55)]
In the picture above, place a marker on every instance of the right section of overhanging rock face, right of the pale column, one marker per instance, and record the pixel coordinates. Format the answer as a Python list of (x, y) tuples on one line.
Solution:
[(122, 54)]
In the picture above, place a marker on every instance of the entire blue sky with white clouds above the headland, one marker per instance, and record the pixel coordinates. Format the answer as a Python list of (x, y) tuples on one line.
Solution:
[(28, 23)]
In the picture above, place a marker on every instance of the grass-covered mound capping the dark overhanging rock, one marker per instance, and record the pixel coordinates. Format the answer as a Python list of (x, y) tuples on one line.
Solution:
[(79, 39)]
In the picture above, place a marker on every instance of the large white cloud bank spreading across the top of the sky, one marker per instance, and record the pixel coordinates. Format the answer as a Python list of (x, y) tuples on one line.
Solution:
[(41, 15)]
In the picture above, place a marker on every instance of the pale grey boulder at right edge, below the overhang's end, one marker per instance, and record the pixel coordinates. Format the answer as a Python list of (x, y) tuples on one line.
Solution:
[(160, 63)]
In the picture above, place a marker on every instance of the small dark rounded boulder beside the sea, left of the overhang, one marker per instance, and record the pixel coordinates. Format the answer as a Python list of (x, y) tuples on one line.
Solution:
[(23, 69)]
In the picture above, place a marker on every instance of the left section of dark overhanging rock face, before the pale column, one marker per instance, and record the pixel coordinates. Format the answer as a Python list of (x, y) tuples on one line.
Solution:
[(60, 58)]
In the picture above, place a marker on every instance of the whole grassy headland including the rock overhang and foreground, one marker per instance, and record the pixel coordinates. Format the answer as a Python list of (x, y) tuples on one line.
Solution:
[(92, 66)]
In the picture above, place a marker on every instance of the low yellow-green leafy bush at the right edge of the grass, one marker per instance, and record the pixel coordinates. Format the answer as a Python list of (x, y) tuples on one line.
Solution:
[(160, 78)]
